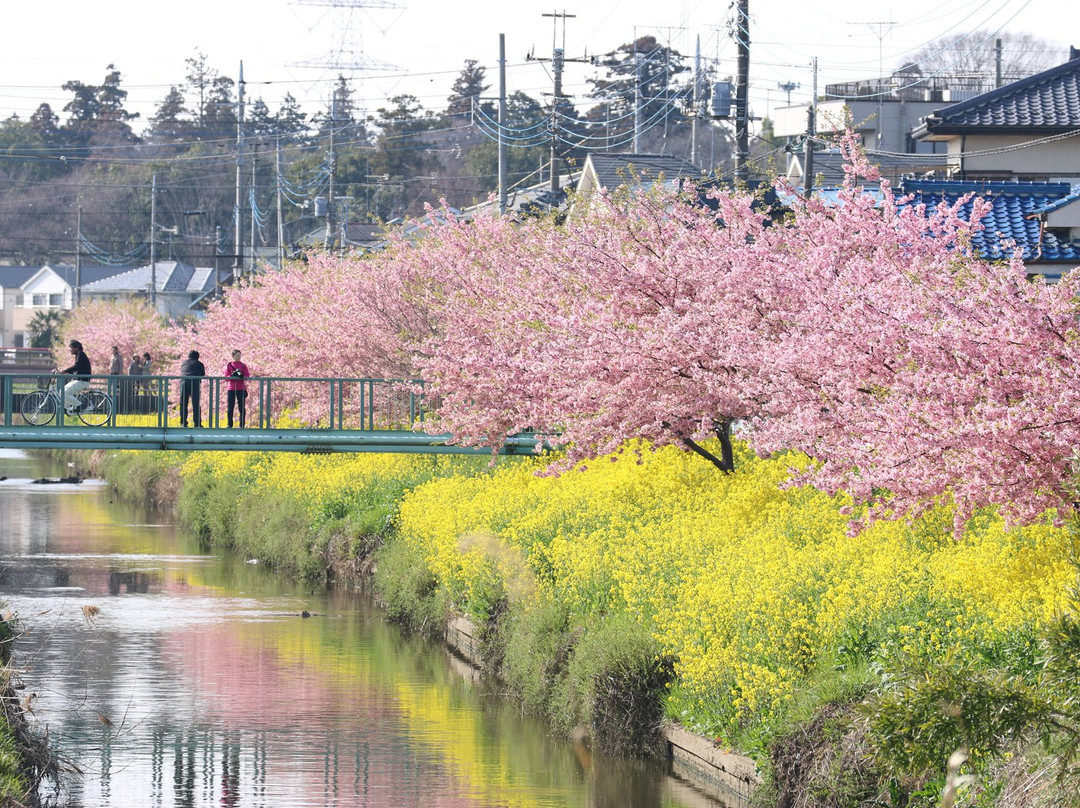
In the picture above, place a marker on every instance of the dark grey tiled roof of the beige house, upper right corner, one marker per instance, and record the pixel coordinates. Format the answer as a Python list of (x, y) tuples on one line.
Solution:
[(1047, 103)]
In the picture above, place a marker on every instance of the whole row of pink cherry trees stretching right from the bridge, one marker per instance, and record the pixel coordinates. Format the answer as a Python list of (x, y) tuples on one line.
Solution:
[(865, 333)]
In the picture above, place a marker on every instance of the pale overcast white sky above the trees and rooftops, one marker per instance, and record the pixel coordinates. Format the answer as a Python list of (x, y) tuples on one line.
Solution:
[(418, 47)]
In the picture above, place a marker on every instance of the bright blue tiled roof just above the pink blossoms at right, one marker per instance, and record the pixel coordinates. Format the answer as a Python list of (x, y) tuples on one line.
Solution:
[(1015, 216)]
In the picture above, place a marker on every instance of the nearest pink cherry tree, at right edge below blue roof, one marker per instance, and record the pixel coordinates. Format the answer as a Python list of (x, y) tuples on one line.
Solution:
[(910, 369)]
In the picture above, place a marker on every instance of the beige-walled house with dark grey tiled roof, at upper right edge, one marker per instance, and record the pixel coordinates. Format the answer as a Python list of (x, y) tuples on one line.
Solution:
[(1028, 130)]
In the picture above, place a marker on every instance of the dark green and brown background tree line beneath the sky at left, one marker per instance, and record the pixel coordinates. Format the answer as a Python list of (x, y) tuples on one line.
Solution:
[(92, 155)]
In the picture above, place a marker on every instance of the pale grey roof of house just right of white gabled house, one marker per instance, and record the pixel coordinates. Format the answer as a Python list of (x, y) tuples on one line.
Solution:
[(179, 287)]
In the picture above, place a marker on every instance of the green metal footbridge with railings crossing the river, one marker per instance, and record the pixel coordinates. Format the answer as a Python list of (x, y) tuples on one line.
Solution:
[(317, 415)]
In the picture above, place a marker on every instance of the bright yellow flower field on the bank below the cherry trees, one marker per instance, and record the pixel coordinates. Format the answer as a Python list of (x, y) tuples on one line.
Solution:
[(748, 586)]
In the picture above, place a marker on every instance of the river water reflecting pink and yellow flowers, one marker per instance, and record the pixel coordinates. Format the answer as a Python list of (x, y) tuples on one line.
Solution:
[(170, 676)]
